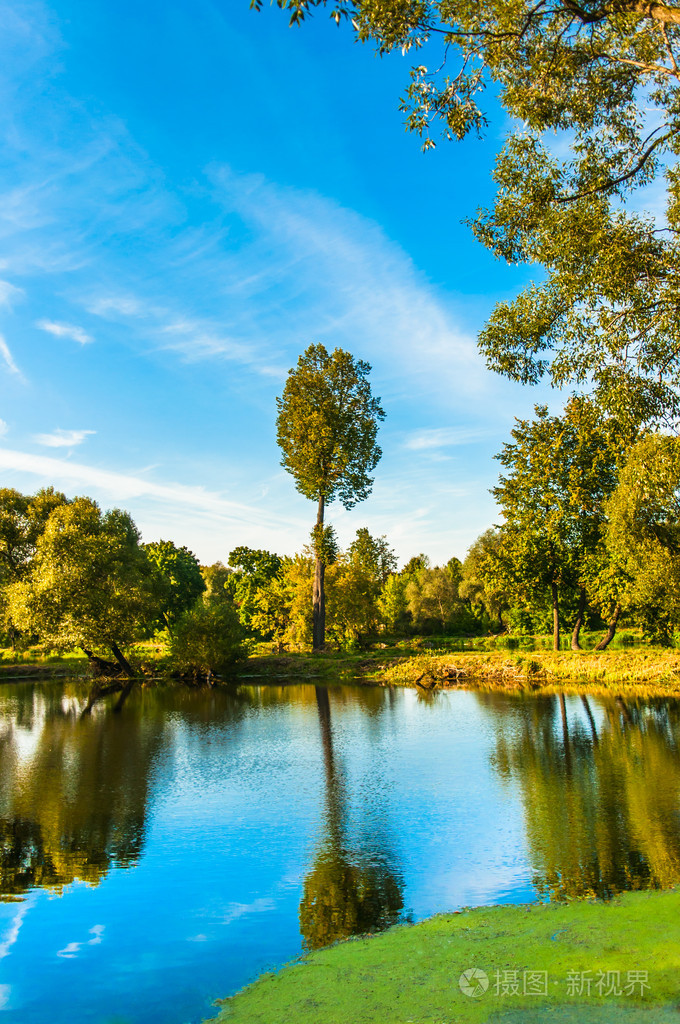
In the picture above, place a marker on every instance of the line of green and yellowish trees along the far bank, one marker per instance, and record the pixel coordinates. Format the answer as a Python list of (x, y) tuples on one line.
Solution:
[(591, 535)]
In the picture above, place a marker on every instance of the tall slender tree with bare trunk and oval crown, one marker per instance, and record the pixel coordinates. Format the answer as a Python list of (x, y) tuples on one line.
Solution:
[(327, 429)]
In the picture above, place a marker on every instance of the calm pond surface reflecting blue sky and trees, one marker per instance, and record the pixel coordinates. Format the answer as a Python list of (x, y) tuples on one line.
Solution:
[(155, 860)]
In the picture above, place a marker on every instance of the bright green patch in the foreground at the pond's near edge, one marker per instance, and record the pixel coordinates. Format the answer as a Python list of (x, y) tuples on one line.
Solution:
[(411, 974)]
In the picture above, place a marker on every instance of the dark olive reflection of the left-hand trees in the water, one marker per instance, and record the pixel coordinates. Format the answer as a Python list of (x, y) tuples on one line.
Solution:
[(73, 799)]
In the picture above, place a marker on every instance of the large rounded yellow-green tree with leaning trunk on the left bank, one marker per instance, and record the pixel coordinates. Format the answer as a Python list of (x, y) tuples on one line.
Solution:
[(91, 582)]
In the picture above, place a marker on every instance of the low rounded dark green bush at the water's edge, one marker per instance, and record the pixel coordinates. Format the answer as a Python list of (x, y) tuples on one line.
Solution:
[(208, 638)]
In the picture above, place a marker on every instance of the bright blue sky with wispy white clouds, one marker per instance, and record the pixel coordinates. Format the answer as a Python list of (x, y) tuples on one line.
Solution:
[(191, 194)]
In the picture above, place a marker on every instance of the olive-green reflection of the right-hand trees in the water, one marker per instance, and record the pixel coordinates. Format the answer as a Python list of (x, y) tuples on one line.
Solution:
[(602, 803)]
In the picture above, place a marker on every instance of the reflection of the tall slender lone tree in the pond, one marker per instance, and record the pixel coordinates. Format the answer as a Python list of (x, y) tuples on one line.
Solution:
[(347, 892)]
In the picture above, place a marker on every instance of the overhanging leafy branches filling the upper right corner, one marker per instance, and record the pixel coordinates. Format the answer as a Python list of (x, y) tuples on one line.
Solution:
[(592, 91)]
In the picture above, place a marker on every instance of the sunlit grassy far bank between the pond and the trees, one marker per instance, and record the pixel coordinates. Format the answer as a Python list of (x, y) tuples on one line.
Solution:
[(486, 663)]
